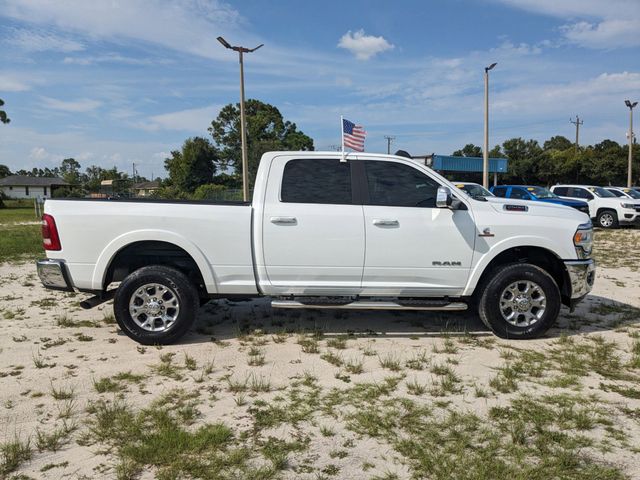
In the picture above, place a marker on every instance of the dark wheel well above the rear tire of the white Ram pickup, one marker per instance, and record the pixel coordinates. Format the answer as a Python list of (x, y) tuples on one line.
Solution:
[(140, 254)]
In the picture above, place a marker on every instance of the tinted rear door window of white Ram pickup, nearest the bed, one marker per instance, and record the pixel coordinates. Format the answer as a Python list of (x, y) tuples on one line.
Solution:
[(316, 181)]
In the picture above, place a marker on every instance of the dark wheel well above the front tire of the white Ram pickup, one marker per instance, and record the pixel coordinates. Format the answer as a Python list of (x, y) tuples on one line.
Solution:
[(541, 257)]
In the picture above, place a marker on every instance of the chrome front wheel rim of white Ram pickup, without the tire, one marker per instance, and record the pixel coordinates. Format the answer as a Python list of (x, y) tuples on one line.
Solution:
[(522, 303)]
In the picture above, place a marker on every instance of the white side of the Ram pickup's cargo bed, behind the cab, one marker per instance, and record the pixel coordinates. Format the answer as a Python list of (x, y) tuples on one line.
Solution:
[(217, 235)]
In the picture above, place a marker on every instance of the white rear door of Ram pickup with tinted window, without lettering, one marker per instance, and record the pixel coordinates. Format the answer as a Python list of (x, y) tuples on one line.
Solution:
[(312, 228)]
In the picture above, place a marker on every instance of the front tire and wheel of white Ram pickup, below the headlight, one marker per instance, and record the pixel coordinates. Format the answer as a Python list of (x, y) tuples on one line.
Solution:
[(520, 301)]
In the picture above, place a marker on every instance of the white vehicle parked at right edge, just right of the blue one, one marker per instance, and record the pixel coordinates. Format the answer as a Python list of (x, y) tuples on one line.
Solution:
[(607, 209)]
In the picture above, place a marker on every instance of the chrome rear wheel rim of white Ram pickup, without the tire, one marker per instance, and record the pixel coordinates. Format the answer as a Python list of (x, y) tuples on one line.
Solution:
[(154, 307)]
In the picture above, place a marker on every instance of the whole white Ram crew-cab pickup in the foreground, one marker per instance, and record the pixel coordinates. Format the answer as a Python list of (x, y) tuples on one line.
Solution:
[(371, 232)]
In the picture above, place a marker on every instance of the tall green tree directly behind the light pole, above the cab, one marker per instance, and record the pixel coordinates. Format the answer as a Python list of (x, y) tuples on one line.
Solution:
[(266, 131)]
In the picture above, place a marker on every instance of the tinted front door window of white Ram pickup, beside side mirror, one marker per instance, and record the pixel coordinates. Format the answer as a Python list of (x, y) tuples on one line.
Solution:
[(399, 185)]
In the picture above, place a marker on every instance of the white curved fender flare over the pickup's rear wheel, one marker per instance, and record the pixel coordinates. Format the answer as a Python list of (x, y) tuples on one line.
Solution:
[(111, 250)]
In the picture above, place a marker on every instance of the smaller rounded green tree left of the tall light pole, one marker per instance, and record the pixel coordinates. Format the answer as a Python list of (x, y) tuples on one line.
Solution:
[(192, 166)]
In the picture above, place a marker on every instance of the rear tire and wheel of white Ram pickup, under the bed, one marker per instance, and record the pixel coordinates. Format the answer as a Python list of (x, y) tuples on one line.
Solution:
[(156, 305)]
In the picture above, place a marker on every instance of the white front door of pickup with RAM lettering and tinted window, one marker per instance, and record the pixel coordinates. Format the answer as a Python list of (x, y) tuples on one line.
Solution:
[(412, 247)]
